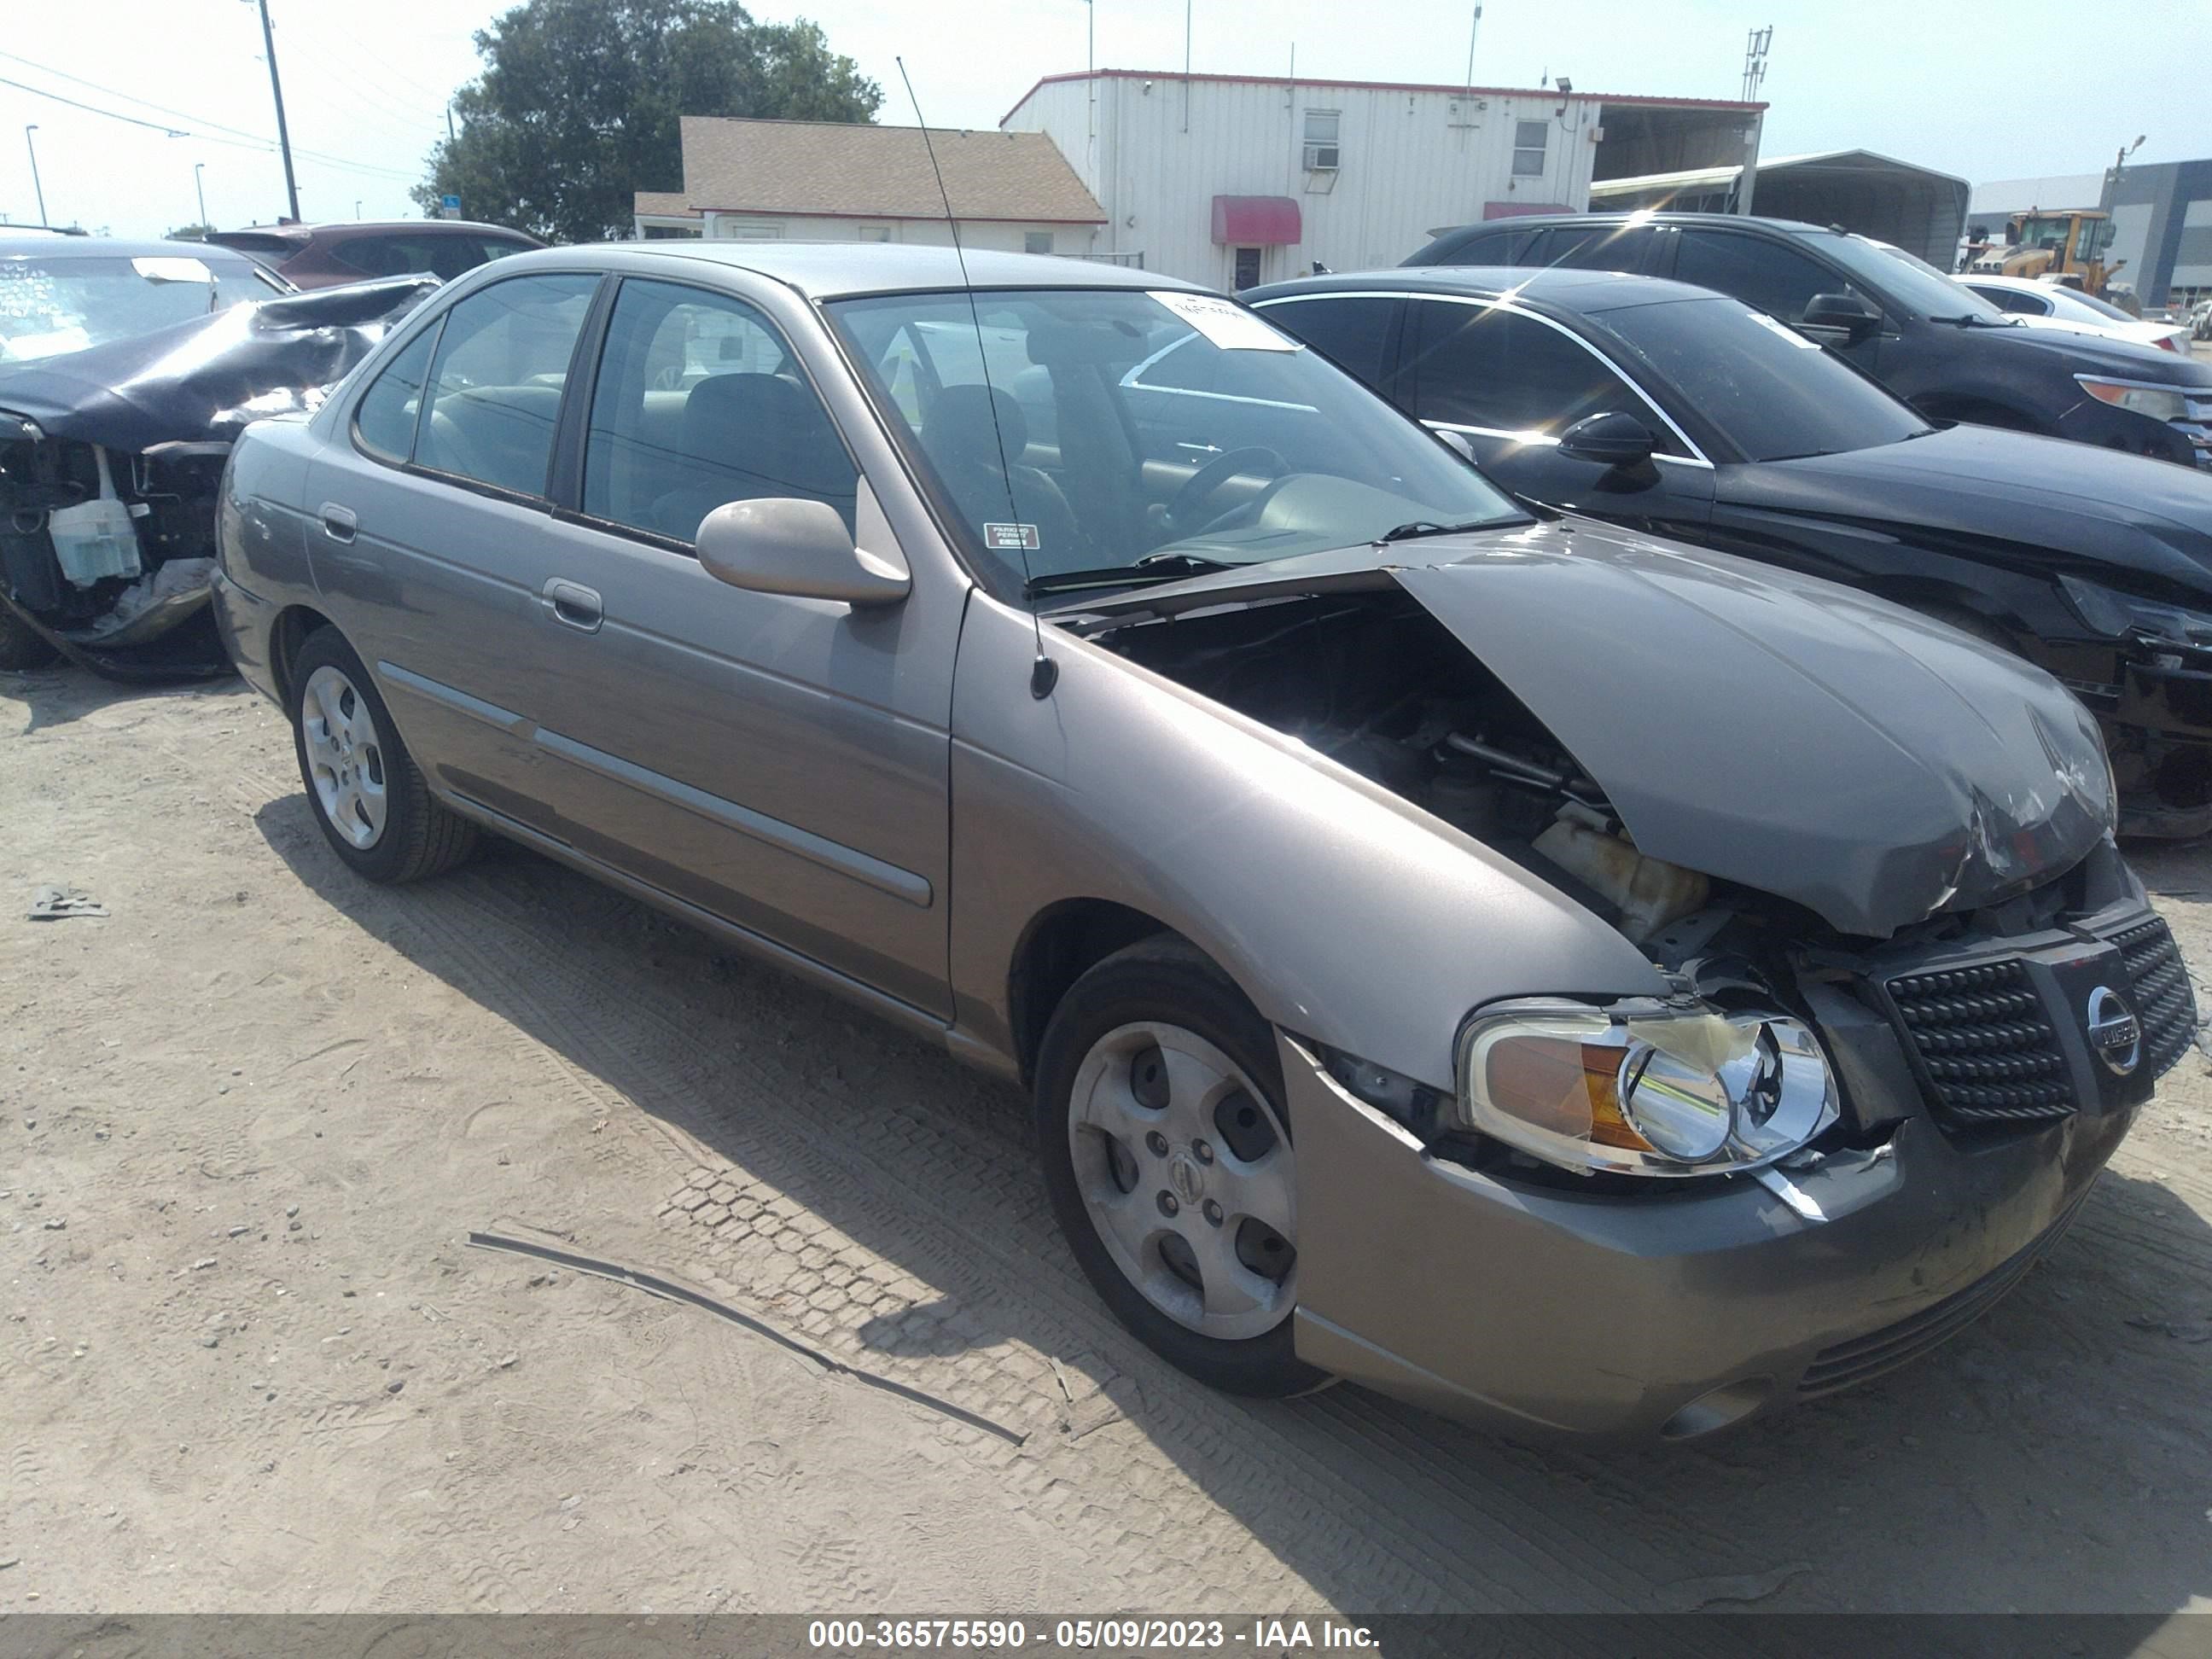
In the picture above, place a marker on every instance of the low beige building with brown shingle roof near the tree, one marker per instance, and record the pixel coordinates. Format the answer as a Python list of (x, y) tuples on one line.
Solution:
[(851, 182)]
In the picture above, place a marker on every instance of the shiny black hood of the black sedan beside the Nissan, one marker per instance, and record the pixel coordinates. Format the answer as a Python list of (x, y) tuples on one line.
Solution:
[(2054, 503)]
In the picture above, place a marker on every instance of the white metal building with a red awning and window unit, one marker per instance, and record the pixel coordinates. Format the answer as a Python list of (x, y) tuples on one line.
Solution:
[(1238, 180)]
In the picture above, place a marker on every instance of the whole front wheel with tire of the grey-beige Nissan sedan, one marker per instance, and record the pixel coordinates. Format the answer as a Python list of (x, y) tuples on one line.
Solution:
[(1167, 1156)]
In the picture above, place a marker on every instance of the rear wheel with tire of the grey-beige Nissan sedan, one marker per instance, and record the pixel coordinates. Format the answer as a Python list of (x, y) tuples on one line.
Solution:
[(362, 782)]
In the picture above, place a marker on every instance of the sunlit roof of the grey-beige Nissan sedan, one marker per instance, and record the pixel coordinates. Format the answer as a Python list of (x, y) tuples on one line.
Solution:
[(842, 269)]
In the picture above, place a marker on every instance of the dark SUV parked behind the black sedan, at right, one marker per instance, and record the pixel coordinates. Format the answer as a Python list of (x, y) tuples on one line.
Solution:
[(1930, 340)]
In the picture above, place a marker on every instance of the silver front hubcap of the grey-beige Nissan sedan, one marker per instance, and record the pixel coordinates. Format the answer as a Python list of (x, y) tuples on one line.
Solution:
[(1189, 1180)]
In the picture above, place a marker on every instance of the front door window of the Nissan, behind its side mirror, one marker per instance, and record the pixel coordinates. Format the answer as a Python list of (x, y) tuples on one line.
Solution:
[(702, 404)]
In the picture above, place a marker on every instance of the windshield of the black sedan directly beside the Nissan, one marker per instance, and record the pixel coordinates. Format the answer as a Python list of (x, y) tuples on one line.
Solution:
[(1771, 393)]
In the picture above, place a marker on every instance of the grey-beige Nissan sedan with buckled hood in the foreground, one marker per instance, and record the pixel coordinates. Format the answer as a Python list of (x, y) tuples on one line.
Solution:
[(1510, 961)]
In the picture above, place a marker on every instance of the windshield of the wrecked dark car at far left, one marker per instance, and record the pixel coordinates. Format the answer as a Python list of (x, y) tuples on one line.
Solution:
[(54, 304)]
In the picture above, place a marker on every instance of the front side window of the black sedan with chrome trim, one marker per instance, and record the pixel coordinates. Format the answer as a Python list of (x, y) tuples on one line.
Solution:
[(1481, 366)]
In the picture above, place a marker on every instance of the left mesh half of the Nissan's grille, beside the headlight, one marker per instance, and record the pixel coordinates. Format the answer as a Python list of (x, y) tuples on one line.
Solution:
[(1987, 1045)]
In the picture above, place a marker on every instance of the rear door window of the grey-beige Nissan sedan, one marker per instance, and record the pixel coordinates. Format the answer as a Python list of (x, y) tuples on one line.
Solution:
[(497, 382)]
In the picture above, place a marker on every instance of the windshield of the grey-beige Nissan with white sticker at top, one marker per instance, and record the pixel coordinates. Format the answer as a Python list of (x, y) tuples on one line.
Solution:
[(1094, 430)]
